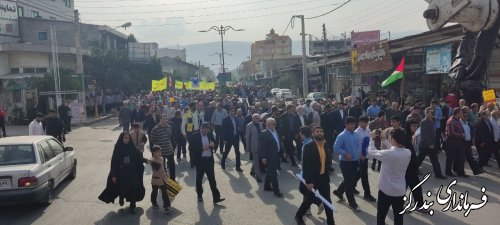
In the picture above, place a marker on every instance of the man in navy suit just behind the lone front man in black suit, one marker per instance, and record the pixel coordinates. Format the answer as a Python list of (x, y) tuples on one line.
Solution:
[(231, 138)]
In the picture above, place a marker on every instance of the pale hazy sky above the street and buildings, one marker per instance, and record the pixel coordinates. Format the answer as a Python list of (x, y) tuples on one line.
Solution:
[(177, 22)]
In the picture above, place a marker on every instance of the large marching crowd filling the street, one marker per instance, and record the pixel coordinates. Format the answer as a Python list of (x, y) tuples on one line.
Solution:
[(317, 135)]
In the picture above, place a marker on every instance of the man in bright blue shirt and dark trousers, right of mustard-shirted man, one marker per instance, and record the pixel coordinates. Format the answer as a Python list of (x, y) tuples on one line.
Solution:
[(347, 146)]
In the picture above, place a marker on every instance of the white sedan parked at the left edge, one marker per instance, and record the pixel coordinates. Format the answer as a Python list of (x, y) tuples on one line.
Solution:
[(31, 167)]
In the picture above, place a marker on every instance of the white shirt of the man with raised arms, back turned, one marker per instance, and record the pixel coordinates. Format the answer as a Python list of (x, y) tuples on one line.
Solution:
[(394, 164)]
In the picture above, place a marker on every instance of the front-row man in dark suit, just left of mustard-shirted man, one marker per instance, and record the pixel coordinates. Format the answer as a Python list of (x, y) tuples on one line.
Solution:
[(271, 149)]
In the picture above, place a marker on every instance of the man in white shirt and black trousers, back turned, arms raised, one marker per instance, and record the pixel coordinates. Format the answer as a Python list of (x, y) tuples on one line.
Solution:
[(392, 183)]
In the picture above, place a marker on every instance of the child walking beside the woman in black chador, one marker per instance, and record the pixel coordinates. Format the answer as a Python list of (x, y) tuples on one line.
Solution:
[(158, 179)]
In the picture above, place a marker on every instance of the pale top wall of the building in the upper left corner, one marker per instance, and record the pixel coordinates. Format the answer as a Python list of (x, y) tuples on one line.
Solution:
[(49, 9)]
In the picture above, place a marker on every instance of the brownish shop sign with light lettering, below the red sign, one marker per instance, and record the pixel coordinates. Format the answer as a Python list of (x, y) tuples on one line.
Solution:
[(372, 58)]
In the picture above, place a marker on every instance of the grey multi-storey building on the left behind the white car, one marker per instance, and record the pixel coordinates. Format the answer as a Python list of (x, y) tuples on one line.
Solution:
[(31, 55)]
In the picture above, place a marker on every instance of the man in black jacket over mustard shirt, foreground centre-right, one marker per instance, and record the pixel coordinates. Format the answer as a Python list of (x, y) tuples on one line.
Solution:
[(315, 173)]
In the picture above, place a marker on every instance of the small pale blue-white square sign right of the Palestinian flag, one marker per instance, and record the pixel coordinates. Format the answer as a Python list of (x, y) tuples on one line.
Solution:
[(438, 59)]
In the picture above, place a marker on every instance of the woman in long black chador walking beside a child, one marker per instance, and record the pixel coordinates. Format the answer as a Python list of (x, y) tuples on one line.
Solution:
[(125, 179)]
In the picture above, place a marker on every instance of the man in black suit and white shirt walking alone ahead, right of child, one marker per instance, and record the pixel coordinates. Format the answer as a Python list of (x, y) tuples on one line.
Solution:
[(201, 146)]
